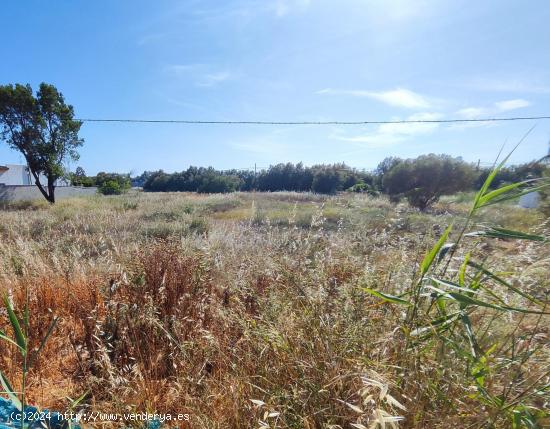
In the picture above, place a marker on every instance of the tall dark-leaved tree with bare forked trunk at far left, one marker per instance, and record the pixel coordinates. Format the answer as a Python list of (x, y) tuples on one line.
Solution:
[(42, 128)]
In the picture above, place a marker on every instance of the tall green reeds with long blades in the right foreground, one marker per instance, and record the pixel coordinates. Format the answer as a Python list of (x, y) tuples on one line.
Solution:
[(443, 313)]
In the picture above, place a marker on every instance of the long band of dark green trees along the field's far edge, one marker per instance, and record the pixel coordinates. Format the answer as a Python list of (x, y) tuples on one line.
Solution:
[(422, 181)]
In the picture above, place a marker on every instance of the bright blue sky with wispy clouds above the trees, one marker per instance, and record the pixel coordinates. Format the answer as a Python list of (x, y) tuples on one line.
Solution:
[(285, 60)]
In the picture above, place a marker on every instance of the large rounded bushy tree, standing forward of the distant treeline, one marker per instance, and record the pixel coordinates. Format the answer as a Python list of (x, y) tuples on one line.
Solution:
[(422, 181)]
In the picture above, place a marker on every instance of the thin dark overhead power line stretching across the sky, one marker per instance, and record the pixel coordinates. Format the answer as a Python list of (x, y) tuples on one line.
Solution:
[(406, 121)]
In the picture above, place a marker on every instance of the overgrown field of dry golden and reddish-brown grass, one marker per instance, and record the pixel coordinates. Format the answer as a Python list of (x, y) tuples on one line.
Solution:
[(249, 310)]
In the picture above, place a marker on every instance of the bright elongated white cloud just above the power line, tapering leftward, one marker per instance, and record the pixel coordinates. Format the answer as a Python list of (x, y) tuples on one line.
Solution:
[(398, 97)]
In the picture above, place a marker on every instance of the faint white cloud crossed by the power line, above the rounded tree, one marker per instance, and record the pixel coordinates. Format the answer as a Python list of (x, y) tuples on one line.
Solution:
[(390, 134)]
